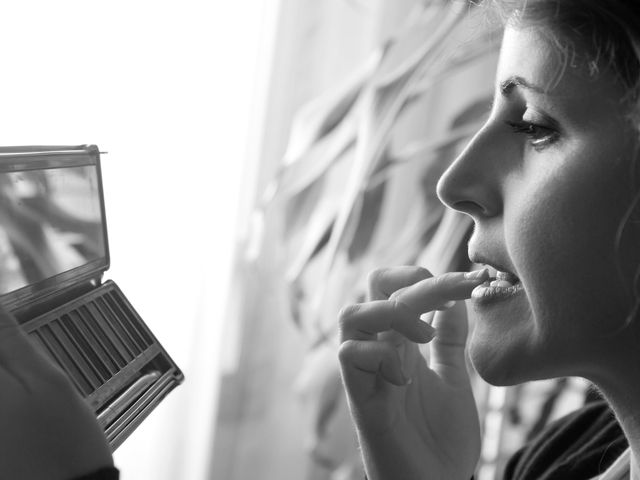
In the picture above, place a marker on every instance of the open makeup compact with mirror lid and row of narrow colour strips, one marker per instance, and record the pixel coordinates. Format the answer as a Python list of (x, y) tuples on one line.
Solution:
[(53, 255)]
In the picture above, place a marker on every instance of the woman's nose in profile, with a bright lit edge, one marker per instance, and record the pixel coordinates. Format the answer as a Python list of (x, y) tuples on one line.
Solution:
[(471, 184)]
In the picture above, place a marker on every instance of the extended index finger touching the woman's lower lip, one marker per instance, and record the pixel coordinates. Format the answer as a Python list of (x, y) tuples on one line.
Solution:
[(431, 293)]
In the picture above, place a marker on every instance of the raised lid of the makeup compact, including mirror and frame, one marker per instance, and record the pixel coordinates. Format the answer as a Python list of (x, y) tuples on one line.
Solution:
[(52, 222)]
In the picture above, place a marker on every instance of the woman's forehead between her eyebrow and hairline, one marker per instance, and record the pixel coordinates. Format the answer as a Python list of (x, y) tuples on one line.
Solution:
[(530, 55)]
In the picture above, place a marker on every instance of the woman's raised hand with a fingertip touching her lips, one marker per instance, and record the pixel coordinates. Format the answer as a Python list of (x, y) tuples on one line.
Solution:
[(414, 420)]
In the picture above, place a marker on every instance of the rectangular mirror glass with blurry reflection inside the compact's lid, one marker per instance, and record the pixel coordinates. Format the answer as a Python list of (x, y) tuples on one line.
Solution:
[(50, 222)]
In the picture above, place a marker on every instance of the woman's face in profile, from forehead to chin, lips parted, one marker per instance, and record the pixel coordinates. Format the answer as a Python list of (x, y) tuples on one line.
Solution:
[(546, 181)]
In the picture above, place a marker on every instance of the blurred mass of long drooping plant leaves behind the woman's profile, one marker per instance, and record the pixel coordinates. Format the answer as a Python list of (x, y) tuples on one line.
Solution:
[(351, 201)]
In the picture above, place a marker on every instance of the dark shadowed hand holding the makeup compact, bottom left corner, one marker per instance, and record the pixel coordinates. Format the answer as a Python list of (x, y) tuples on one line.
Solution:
[(47, 431)]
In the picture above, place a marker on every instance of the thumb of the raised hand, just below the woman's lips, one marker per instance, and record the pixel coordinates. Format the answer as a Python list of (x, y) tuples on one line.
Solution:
[(448, 357)]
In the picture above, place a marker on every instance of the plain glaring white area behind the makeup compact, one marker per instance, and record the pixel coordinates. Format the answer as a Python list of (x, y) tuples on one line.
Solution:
[(168, 89)]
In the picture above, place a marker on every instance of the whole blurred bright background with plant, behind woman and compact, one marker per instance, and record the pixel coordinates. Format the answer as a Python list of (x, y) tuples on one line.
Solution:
[(263, 156)]
